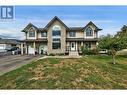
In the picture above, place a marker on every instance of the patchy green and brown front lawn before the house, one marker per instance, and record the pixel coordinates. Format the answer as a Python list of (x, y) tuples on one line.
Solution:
[(89, 72)]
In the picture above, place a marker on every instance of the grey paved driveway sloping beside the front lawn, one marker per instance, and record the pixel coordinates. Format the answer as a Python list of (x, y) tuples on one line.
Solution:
[(8, 63)]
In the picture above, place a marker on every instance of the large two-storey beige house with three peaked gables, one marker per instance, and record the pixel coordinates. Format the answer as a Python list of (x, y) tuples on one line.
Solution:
[(57, 38)]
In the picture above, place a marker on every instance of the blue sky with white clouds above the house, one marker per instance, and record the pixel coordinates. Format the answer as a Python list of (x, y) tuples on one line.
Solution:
[(109, 18)]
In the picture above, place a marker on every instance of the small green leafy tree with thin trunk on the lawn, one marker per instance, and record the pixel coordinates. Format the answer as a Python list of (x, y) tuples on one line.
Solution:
[(113, 44)]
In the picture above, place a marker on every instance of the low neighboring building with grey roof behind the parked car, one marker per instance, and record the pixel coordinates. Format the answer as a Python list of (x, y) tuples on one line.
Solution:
[(6, 44)]
